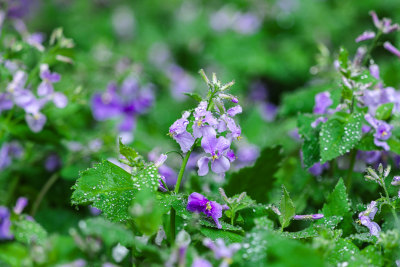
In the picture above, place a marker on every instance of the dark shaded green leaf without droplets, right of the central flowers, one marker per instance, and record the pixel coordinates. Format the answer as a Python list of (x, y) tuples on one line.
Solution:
[(256, 181)]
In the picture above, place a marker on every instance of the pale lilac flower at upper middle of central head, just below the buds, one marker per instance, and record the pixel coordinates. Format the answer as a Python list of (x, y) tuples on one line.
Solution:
[(204, 121)]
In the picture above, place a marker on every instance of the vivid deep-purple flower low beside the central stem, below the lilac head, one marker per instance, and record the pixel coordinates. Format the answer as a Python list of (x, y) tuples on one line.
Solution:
[(199, 203)]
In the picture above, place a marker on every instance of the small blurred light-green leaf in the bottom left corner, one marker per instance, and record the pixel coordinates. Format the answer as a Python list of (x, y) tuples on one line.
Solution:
[(29, 232)]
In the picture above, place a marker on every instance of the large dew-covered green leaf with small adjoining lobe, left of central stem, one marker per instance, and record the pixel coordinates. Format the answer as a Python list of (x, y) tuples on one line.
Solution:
[(112, 189)]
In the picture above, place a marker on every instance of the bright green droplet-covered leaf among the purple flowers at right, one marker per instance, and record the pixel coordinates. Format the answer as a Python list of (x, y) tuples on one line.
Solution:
[(339, 135)]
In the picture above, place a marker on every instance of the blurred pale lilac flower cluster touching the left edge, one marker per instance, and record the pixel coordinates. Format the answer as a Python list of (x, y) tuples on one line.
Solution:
[(18, 93)]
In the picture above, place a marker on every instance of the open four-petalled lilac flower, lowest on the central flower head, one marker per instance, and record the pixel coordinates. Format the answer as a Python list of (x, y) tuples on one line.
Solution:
[(217, 148)]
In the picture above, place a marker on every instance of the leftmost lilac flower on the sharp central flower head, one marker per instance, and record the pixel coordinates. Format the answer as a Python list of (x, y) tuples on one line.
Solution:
[(178, 132)]
